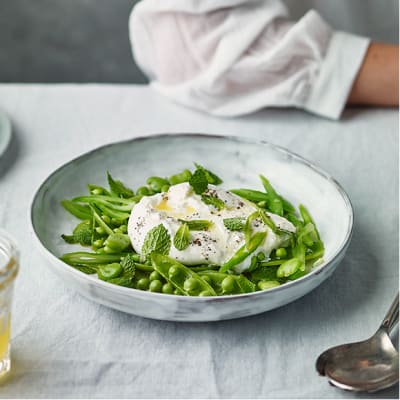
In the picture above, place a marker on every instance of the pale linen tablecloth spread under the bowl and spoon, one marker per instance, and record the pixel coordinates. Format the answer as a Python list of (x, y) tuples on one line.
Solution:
[(66, 346)]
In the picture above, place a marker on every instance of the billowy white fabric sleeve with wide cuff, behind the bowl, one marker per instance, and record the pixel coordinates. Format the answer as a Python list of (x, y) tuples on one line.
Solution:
[(232, 57)]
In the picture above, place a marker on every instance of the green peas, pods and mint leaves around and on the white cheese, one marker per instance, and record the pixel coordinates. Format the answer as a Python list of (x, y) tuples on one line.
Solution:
[(103, 218)]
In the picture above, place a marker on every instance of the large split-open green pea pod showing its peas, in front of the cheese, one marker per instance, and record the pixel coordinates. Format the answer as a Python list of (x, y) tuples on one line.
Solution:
[(182, 277)]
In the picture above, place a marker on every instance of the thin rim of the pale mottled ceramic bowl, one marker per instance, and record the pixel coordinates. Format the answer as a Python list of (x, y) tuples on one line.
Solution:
[(131, 292)]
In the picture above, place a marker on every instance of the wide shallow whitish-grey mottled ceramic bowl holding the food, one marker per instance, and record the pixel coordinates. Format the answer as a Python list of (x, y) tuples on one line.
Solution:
[(238, 162)]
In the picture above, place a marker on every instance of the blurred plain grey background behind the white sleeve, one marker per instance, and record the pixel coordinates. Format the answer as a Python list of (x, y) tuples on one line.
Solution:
[(87, 40)]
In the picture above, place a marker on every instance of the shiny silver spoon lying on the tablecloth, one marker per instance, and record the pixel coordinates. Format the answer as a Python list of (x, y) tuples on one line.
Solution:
[(367, 366)]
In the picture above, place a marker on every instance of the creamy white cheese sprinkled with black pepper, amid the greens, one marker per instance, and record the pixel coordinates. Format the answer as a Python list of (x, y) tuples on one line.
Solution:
[(217, 244)]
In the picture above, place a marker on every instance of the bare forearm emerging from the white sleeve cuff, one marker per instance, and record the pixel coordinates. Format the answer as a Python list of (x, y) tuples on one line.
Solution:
[(377, 82)]
